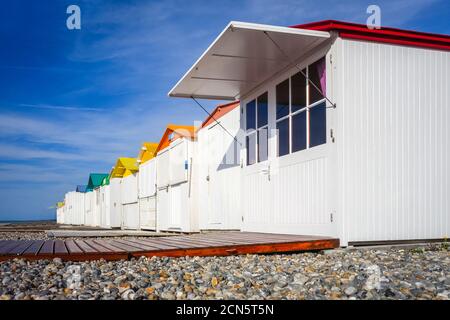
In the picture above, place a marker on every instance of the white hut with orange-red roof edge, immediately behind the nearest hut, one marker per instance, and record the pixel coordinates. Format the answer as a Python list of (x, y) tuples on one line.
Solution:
[(219, 171)]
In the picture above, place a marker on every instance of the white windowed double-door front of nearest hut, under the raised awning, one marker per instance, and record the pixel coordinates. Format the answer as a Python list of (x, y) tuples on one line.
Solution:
[(287, 177)]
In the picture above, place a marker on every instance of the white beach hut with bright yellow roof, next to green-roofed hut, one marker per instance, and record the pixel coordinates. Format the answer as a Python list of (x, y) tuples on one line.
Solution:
[(124, 190)]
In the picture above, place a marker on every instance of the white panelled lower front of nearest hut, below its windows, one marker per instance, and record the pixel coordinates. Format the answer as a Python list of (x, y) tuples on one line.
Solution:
[(286, 204)]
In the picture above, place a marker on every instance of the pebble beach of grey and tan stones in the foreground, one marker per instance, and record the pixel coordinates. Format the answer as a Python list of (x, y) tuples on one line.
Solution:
[(392, 273)]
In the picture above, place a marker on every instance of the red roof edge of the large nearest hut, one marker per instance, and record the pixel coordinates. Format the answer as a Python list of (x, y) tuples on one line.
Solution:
[(384, 34)]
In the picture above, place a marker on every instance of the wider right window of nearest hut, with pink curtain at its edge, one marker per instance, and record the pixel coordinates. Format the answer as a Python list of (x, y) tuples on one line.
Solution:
[(301, 110)]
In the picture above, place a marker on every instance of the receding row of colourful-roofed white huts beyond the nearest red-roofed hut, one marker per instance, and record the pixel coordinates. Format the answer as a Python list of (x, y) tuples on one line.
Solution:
[(161, 189)]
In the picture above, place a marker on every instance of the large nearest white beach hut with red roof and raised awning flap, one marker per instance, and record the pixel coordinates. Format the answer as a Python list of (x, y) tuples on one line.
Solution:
[(345, 128)]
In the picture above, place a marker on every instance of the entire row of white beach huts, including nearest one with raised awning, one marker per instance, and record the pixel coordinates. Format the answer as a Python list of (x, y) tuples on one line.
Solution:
[(340, 131)]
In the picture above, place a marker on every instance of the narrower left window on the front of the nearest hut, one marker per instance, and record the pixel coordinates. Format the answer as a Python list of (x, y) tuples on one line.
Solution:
[(257, 129)]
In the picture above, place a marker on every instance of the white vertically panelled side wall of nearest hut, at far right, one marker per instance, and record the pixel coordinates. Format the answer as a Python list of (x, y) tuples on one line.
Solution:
[(393, 145)]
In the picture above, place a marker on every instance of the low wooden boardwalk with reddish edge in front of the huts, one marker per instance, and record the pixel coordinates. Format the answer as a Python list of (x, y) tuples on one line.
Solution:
[(207, 244)]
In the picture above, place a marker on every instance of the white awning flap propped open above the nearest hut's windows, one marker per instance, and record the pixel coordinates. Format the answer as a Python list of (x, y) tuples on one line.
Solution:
[(242, 56)]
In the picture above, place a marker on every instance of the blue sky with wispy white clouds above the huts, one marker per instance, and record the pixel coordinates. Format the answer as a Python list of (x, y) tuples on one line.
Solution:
[(71, 102)]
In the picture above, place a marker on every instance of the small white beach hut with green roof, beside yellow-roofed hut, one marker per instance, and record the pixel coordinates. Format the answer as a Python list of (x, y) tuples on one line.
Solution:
[(93, 199)]
